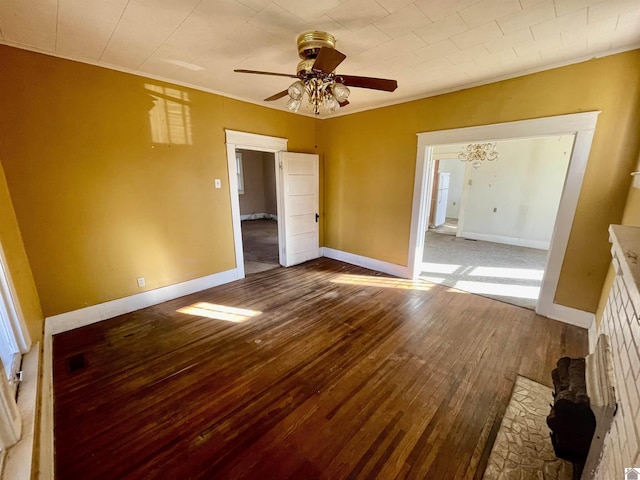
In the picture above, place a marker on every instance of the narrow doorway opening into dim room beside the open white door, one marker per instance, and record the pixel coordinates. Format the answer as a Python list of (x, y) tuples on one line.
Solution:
[(257, 199)]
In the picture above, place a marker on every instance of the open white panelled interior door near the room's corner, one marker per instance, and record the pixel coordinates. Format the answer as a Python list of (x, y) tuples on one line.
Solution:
[(298, 208)]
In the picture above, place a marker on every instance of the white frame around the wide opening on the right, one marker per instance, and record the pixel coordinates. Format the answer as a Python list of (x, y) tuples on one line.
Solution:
[(581, 124)]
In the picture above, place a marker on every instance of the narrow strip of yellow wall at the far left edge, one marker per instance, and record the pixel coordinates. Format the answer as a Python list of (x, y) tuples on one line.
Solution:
[(18, 264)]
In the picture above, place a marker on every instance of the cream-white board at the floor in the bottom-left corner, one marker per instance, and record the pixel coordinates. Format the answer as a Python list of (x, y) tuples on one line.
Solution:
[(18, 462)]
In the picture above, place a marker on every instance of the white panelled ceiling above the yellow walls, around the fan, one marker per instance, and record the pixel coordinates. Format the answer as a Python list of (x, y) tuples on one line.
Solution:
[(428, 46)]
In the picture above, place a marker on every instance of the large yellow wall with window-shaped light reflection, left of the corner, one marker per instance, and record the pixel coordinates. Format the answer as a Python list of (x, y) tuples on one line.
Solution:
[(102, 195)]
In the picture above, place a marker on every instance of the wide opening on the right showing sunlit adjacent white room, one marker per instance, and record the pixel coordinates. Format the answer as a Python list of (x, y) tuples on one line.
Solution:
[(491, 221)]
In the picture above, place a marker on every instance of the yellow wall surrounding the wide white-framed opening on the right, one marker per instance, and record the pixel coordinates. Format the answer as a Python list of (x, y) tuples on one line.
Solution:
[(370, 162)]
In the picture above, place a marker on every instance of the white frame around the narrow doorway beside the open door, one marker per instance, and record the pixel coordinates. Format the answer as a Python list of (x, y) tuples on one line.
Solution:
[(259, 143)]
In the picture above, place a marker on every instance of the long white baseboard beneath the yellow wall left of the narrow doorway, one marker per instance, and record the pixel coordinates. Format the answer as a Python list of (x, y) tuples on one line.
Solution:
[(95, 313)]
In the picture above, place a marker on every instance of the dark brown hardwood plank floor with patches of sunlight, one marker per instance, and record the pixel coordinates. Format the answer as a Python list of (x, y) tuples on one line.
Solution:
[(343, 374)]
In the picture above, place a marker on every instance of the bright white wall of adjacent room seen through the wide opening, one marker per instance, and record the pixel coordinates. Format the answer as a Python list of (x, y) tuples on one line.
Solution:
[(514, 199)]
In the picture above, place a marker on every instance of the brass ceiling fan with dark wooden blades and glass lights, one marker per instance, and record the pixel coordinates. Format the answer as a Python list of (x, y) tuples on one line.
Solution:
[(317, 78)]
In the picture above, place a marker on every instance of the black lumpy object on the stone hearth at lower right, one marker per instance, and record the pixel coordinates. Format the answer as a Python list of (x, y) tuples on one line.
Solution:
[(571, 420)]
